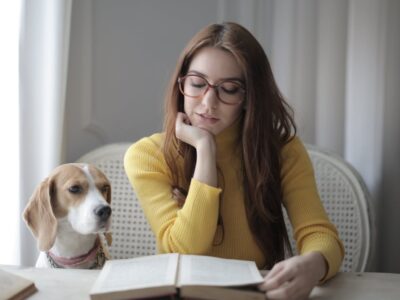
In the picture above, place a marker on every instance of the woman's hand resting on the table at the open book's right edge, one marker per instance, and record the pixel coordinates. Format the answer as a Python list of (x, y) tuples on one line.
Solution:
[(294, 278)]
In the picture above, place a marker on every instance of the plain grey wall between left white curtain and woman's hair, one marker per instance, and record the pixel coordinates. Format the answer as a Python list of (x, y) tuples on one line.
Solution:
[(121, 56)]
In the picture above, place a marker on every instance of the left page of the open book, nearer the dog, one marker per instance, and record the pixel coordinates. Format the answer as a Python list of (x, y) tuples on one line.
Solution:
[(140, 272)]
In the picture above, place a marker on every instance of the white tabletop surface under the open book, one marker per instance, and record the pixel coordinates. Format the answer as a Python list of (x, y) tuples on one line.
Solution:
[(76, 284)]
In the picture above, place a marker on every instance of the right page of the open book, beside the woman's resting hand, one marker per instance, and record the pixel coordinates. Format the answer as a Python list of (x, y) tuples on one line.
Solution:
[(206, 270)]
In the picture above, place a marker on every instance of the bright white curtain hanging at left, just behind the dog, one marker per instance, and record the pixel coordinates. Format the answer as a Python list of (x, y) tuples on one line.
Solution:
[(44, 45)]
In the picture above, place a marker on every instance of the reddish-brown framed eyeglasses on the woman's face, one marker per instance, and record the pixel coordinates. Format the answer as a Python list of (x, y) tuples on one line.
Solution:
[(228, 91)]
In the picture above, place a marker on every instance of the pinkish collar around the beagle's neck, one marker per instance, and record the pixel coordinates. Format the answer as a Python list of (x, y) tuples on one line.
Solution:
[(96, 255)]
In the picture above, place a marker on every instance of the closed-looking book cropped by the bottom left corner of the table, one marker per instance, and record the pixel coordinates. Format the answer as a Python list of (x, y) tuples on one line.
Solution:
[(14, 287)]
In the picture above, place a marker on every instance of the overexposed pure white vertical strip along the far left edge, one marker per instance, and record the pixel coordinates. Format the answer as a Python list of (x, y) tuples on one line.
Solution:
[(9, 214)]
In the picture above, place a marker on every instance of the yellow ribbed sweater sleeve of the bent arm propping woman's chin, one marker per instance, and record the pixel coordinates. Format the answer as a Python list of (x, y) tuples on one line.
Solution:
[(189, 229)]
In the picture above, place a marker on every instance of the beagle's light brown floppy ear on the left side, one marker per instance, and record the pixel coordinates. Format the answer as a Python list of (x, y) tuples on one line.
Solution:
[(39, 215)]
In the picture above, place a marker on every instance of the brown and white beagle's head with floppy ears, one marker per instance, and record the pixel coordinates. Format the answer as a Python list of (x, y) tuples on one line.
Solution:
[(80, 193)]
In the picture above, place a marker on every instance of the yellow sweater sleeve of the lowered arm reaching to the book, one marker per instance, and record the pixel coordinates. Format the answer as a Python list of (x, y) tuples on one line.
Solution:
[(311, 226)]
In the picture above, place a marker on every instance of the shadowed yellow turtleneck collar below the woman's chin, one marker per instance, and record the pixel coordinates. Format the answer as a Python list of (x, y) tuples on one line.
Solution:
[(228, 140)]
